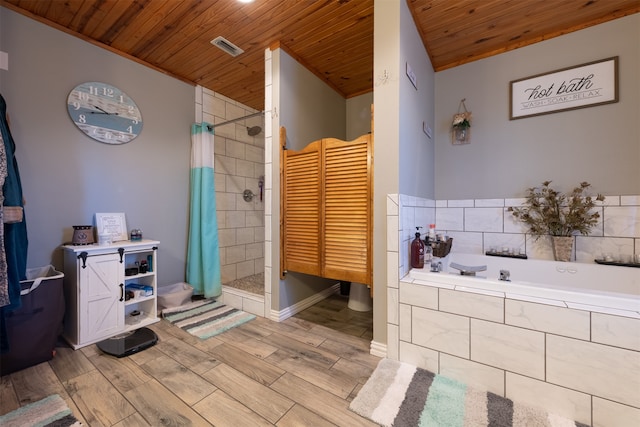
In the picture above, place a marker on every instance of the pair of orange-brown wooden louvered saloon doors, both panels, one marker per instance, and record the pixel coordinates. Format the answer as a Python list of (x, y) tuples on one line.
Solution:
[(327, 209)]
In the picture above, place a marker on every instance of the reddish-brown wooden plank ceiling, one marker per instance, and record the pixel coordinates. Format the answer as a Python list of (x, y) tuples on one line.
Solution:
[(332, 38)]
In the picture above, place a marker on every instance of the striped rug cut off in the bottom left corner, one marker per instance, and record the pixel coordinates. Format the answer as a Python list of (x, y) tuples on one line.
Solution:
[(51, 411)]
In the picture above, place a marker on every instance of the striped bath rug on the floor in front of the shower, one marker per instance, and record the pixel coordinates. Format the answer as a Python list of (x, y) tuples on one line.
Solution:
[(206, 318)]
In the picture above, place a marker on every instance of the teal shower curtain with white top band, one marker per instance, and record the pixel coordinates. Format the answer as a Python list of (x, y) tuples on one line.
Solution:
[(203, 252)]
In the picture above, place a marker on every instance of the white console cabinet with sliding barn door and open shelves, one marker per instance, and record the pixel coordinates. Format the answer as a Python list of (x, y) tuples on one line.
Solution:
[(98, 305)]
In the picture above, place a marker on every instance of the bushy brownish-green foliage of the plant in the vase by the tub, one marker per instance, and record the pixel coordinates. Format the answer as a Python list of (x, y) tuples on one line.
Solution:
[(550, 212)]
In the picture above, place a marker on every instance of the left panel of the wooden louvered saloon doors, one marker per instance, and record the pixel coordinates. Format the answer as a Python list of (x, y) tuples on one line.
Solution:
[(302, 217)]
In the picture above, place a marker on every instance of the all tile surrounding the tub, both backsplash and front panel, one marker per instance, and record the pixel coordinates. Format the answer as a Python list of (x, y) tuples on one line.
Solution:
[(572, 359)]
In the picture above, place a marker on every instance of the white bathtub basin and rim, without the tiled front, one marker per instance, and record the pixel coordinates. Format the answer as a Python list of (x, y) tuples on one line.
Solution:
[(574, 285)]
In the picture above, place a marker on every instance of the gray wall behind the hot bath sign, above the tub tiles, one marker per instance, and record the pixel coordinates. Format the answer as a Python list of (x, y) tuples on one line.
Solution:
[(598, 144)]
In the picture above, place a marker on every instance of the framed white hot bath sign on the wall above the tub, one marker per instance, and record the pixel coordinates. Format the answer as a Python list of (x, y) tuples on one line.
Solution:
[(585, 85)]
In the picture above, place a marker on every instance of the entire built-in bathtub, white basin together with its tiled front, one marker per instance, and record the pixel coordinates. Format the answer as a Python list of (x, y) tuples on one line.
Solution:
[(560, 335)]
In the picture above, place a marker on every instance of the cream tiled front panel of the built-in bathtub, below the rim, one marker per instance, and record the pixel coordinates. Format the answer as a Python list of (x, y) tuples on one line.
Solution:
[(575, 360)]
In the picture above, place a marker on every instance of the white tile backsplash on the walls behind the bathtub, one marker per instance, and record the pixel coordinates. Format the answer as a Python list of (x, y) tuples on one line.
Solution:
[(478, 225)]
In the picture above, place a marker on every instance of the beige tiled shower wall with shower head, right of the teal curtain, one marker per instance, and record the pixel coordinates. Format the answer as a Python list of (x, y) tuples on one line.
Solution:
[(239, 165)]
